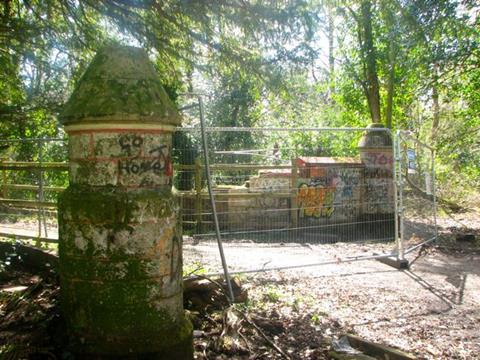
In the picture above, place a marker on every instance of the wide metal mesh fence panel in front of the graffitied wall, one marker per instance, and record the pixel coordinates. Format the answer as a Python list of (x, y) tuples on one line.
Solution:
[(286, 197)]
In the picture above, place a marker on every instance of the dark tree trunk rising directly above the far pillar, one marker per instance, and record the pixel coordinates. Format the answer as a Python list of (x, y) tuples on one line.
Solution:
[(369, 55)]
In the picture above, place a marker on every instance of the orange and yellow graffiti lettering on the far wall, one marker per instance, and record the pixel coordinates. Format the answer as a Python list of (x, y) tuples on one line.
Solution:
[(315, 201)]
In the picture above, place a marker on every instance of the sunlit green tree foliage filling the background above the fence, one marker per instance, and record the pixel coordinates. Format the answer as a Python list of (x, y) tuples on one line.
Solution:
[(262, 64)]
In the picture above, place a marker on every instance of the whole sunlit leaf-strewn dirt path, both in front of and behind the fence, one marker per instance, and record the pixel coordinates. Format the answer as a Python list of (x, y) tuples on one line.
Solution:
[(431, 310)]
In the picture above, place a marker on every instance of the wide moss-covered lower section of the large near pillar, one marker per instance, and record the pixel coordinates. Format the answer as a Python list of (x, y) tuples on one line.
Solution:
[(117, 301)]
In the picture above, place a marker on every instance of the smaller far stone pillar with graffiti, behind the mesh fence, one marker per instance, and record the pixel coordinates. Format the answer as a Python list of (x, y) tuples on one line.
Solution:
[(375, 149)]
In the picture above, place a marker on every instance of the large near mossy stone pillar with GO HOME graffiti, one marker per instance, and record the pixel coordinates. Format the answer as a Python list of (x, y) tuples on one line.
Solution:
[(119, 229)]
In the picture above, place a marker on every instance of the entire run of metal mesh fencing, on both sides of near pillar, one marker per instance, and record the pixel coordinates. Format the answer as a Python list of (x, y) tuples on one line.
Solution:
[(284, 197)]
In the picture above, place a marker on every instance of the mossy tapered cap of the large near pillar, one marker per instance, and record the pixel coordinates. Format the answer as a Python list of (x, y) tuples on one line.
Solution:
[(120, 86)]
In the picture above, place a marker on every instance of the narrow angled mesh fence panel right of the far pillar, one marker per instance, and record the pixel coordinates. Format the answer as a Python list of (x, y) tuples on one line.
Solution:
[(417, 190)]
